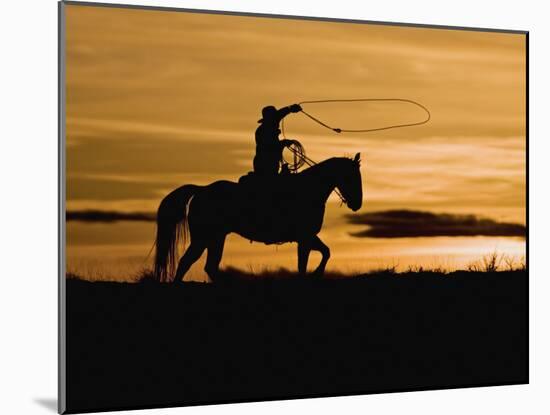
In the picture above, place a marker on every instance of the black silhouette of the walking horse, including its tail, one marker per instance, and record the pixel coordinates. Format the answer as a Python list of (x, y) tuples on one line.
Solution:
[(284, 209)]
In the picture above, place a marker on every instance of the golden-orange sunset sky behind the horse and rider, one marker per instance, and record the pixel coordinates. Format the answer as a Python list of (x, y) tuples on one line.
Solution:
[(157, 99)]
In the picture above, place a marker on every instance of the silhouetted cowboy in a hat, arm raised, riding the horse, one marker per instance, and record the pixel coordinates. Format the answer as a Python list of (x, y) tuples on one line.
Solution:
[(269, 149)]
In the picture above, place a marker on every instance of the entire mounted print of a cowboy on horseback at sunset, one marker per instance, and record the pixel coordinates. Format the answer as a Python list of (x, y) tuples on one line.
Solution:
[(259, 207)]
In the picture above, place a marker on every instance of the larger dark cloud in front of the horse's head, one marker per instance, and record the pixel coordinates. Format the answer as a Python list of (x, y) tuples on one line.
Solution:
[(410, 223)]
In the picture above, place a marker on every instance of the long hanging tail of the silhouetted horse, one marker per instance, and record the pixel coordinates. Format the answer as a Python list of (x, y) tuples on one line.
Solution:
[(171, 227)]
